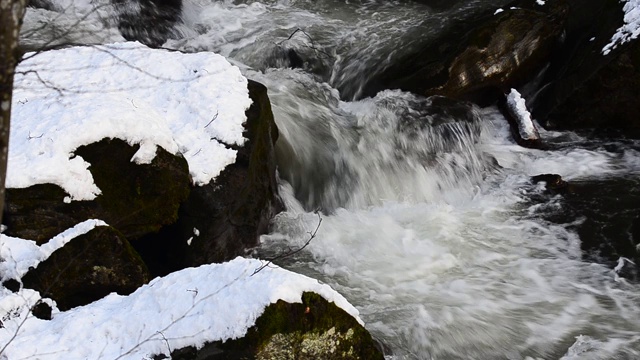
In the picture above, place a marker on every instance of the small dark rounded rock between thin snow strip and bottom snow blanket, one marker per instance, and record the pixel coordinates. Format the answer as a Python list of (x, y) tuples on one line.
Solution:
[(88, 268)]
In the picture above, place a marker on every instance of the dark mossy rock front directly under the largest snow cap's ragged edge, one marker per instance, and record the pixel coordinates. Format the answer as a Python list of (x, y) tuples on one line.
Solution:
[(136, 199)]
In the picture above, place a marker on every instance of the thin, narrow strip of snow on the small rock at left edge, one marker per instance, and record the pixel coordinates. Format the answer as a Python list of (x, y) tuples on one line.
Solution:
[(19, 255)]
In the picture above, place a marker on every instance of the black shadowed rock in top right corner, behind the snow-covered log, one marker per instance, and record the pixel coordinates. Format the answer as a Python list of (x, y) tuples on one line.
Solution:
[(584, 88)]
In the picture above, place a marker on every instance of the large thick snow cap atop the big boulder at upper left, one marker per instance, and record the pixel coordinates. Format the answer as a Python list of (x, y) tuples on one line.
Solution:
[(193, 104)]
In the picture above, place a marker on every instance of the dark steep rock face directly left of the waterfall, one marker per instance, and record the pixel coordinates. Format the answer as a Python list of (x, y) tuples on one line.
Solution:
[(226, 217)]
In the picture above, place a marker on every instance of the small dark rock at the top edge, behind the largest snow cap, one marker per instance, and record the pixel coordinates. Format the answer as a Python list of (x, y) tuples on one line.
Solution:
[(150, 22)]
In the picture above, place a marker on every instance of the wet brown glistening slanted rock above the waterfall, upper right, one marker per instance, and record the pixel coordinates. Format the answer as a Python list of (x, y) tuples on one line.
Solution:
[(477, 60)]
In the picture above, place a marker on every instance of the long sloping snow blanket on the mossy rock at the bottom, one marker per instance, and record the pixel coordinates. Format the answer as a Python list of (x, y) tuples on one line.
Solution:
[(186, 308)]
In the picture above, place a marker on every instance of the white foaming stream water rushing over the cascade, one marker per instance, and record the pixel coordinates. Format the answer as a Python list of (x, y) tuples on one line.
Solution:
[(430, 224)]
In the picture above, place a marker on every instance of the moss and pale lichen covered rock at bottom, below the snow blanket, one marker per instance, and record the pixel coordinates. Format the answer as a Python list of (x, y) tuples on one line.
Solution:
[(315, 329)]
